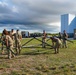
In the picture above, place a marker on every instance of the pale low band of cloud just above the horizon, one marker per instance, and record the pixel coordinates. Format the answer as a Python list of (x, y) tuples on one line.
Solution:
[(31, 28)]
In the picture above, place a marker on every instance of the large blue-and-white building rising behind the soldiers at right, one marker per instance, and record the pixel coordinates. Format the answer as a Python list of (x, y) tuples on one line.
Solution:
[(68, 23)]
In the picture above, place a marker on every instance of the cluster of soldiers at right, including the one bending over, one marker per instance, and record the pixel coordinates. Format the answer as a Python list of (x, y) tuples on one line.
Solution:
[(57, 42)]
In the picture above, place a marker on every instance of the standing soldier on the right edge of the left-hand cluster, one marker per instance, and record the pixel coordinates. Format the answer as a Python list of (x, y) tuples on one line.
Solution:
[(18, 38)]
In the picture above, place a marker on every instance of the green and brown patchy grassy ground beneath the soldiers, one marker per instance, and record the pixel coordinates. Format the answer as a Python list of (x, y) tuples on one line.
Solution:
[(40, 61)]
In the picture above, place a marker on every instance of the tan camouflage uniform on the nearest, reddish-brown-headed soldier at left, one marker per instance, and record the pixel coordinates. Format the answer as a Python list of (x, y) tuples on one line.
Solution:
[(9, 46)]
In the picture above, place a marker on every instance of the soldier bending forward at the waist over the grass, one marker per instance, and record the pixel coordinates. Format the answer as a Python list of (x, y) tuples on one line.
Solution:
[(56, 43)]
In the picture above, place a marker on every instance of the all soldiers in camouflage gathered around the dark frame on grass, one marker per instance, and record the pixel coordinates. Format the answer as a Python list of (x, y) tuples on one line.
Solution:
[(12, 41)]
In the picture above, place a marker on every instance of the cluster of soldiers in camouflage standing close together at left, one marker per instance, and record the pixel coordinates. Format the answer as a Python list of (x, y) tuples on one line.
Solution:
[(12, 40)]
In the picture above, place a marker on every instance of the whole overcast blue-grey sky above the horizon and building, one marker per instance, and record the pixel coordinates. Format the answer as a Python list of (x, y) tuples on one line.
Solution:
[(34, 15)]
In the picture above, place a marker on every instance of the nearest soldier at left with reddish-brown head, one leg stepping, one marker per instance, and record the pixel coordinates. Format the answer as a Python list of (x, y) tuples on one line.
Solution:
[(9, 44)]
